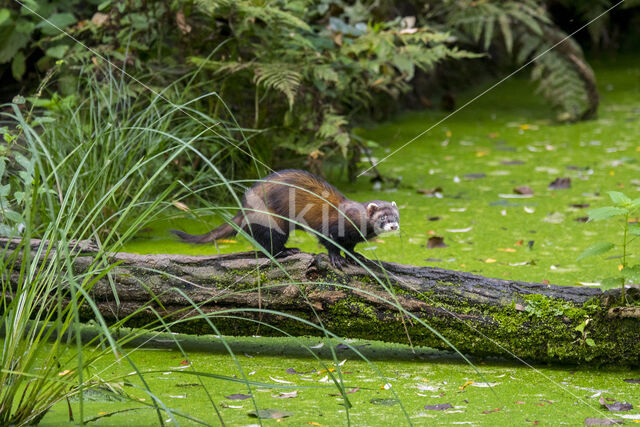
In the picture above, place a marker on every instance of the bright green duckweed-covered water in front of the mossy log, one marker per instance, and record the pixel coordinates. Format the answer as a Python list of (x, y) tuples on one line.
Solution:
[(392, 387)]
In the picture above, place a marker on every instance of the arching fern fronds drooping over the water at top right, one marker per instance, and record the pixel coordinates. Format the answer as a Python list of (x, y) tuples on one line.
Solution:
[(525, 31)]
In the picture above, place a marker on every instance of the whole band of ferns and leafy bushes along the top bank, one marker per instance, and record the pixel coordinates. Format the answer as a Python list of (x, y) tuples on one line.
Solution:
[(302, 72)]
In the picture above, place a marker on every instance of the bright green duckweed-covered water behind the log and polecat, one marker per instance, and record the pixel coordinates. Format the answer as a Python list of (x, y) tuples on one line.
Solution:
[(475, 159)]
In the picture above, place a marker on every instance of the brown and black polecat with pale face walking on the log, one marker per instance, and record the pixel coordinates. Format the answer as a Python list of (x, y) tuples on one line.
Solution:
[(294, 199)]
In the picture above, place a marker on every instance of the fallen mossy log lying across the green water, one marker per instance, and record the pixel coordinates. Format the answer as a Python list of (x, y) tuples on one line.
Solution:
[(248, 294)]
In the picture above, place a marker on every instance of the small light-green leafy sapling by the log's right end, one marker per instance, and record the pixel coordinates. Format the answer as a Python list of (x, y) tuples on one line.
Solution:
[(623, 206)]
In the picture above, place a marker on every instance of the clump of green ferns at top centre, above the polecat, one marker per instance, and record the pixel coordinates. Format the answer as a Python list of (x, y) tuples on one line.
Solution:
[(286, 57)]
